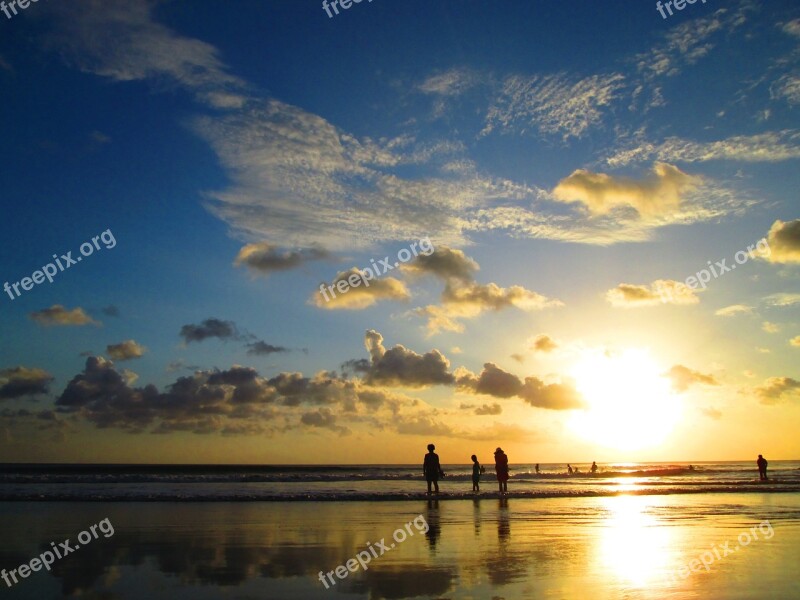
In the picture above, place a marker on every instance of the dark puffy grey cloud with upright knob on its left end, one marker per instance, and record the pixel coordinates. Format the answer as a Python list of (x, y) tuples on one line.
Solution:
[(402, 367)]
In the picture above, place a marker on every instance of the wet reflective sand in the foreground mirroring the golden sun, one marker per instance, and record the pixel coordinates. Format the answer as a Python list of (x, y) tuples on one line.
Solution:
[(616, 547)]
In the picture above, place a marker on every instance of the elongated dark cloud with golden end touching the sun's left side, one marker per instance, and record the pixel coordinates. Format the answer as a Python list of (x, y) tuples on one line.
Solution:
[(493, 381)]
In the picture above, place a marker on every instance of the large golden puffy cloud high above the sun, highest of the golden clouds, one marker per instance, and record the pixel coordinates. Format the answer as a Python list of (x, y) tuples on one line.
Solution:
[(659, 194)]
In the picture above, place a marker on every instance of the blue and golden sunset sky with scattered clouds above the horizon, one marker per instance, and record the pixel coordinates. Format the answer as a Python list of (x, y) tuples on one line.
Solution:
[(252, 232)]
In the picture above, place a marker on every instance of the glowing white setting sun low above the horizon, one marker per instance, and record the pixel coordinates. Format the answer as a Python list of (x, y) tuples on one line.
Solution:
[(630, 404)]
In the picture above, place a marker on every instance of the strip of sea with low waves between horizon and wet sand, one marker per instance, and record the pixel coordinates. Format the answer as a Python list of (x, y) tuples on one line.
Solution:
[(231, 483)]
